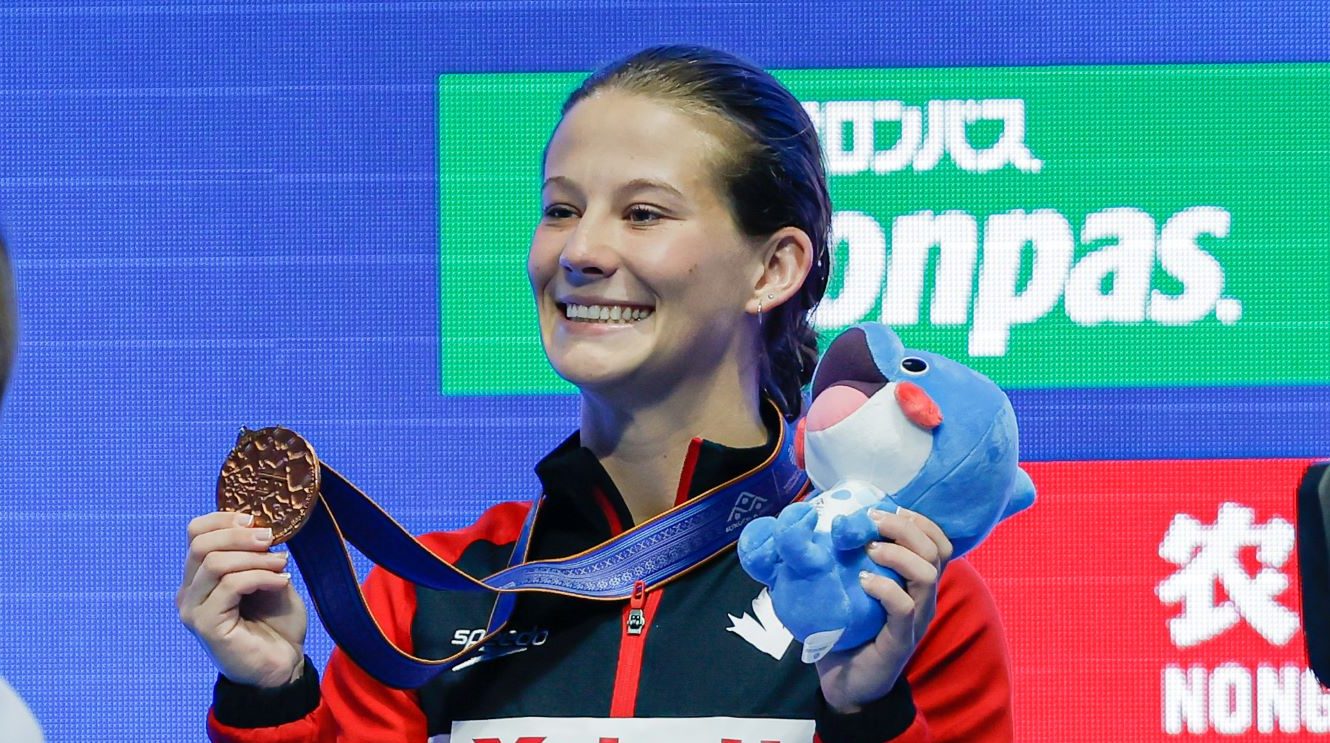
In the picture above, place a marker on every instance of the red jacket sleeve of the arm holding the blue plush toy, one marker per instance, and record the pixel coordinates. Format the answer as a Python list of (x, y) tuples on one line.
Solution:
[(961, 673)]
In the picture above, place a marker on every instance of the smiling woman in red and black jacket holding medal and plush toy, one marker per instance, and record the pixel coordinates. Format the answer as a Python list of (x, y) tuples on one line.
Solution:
[(683, 243)]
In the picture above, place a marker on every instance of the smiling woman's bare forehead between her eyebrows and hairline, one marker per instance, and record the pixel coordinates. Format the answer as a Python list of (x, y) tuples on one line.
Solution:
[(614, 138)]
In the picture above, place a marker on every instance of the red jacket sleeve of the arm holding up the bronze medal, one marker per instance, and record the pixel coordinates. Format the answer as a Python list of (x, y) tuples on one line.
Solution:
[(353, 705)]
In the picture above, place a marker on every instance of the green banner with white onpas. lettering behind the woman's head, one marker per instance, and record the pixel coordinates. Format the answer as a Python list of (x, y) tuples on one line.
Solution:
[(1101, 227)]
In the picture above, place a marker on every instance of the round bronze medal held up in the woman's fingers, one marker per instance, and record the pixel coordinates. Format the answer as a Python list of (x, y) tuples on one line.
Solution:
[(272, 475)]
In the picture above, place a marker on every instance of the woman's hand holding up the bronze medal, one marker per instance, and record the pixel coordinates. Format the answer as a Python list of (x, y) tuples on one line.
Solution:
[(239, 601)]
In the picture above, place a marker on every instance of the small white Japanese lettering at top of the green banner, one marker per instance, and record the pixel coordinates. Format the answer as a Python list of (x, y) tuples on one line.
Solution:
[(855, 136)]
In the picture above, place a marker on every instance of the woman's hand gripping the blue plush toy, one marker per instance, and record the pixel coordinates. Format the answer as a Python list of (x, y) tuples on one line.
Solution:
[(918, 551)]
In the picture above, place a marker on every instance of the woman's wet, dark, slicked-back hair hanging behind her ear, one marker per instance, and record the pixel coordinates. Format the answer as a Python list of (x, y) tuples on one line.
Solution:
[(772, 173)]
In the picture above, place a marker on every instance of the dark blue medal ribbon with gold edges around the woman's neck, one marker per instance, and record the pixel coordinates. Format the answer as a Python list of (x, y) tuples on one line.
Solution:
[(652, 554)]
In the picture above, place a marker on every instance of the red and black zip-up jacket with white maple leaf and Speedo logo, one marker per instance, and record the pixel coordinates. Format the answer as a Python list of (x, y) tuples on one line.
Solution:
[(566, 664)]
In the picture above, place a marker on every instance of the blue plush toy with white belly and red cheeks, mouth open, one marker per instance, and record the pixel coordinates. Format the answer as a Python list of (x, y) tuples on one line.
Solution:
[(888, 427)]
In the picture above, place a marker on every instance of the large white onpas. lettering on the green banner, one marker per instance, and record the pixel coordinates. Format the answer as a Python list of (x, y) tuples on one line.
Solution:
[(1027, 268)]
